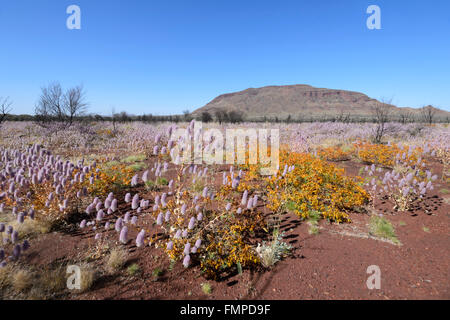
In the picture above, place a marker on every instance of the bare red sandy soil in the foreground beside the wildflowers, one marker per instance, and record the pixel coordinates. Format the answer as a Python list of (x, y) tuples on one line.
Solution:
[(329, 265)]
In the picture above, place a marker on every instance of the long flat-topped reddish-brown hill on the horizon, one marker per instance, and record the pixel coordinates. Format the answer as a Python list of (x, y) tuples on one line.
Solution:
[(300, 102)]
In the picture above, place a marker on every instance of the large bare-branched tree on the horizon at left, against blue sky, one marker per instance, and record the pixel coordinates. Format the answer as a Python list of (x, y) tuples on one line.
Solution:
[(56, 106)]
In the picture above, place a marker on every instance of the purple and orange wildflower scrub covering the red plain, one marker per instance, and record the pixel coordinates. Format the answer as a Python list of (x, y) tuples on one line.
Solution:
[(117, 187)]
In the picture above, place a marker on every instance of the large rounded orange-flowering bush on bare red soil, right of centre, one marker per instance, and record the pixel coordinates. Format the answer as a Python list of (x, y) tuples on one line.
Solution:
[(313, 185)]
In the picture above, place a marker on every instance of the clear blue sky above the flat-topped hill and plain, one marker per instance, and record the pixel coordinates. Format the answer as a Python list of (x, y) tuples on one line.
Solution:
[(163, 57)]
